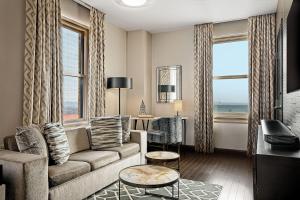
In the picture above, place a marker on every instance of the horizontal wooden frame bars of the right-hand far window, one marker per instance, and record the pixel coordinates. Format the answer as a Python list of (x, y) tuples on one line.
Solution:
[(233, 117)]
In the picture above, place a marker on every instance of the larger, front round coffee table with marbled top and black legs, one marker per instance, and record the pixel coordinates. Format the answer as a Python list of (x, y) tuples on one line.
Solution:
[(150, 176)]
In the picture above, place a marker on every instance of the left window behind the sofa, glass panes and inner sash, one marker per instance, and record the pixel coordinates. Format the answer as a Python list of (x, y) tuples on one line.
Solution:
[(74, 72)]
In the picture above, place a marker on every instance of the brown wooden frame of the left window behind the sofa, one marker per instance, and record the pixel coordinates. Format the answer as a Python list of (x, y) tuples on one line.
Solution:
[(84, 31)]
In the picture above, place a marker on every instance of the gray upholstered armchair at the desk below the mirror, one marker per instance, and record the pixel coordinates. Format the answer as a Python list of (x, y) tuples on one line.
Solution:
[(166, 131)]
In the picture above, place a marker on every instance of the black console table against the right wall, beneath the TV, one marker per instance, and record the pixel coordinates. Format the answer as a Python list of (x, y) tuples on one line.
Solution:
[(276, 173)]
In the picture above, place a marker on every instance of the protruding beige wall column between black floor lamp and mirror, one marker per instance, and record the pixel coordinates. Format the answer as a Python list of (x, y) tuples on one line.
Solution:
[(139, 68)]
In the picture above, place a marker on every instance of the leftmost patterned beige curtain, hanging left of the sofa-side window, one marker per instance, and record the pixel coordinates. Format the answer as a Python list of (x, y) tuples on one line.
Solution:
[(42, 68)]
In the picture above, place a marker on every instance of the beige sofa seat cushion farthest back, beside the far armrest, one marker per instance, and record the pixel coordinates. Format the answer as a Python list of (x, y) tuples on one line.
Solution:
[(126, 150)]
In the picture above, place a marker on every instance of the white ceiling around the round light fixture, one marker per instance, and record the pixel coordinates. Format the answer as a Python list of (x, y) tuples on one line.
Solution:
[(168, 15)]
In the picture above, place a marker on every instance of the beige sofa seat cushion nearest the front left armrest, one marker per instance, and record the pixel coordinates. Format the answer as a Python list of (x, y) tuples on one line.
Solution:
[(59, 174)]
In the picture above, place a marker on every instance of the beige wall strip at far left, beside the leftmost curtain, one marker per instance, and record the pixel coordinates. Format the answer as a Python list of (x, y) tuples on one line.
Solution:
[(12, 35)]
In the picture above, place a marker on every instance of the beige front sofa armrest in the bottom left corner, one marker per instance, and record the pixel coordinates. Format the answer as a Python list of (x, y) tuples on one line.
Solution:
[(25, 175)]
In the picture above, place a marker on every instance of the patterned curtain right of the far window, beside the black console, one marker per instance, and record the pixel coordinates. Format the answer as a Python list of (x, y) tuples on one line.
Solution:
[(261, 74)]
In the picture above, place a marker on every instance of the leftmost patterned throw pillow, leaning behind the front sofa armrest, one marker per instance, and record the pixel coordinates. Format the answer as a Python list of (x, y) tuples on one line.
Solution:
[(30, 140)]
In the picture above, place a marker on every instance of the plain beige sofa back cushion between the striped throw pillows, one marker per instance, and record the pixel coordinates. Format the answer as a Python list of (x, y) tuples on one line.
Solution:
[(78, 140)]
